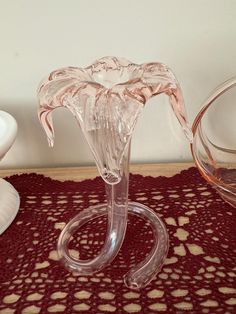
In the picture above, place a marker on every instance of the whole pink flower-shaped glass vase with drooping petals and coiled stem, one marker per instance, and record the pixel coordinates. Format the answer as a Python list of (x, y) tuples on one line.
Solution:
[(106, 99)]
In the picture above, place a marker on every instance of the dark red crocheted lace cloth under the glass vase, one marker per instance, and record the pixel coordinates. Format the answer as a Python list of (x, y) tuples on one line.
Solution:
[(199, 274)]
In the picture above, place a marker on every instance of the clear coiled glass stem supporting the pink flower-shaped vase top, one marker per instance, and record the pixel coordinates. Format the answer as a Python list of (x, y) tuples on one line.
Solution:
[(116, 212)]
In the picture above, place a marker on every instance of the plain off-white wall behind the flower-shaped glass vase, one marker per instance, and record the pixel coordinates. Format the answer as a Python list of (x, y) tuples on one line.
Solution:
[(197, 39)]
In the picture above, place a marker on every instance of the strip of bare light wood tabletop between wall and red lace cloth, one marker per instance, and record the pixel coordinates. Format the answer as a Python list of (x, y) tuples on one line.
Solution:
[(81, 173)]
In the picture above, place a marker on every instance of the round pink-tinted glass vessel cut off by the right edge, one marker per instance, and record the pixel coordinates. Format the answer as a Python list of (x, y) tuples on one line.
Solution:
[(214, 143)]
